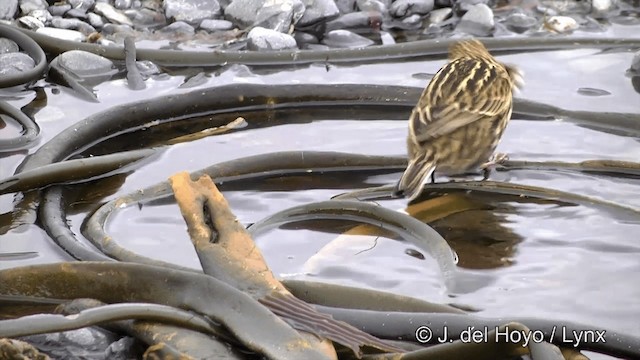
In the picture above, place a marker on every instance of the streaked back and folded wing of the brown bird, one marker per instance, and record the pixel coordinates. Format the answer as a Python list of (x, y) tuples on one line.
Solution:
[(452, 103)]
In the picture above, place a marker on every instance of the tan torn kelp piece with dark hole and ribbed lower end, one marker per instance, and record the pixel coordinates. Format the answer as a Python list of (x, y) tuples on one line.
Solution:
[(227, 252)]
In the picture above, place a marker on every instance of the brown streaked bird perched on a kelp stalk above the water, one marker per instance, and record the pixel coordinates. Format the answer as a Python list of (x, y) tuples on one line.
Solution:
[(460, 117)]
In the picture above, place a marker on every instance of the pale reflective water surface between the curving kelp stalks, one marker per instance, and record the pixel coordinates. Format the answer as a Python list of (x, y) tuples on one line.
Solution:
[(557, 262)]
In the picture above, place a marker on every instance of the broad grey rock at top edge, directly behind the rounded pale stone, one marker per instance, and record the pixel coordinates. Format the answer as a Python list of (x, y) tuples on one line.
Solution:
[(270, 14)]
